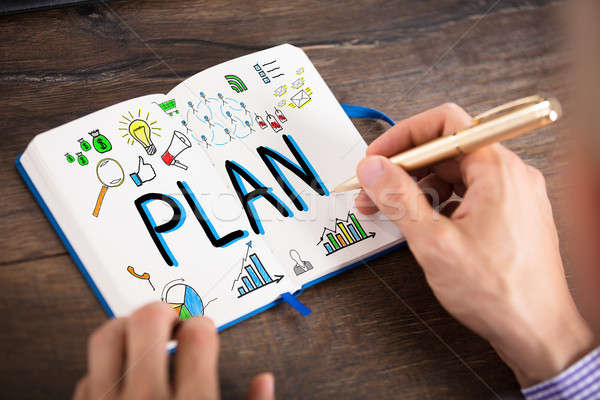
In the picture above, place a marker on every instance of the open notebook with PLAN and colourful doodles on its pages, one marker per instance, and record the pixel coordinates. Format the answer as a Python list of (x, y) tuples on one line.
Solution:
[(216, 197)]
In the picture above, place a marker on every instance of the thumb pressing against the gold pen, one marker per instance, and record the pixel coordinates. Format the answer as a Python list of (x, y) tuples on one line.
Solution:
[(398, 197)]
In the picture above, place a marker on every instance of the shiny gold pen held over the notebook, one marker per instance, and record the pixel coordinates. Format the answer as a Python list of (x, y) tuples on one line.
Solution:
[(500, 123)]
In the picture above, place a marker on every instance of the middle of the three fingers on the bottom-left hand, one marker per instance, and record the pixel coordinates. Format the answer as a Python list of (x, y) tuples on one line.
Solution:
[(148, 331)]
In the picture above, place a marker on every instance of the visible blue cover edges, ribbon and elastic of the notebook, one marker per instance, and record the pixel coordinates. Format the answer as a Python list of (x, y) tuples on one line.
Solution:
[(351, 110)]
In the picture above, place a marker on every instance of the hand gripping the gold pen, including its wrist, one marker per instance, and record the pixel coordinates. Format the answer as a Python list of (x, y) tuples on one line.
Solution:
[(494, 264)]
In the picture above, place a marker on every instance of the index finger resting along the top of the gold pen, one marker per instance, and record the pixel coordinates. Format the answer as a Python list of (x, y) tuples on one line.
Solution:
[(424, 127)]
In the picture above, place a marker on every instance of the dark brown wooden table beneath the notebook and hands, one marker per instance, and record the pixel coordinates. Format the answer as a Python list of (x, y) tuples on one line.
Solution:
[(377, 331)]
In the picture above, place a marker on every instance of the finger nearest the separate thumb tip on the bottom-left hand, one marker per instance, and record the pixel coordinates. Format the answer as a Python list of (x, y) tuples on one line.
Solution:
[(196, 360)]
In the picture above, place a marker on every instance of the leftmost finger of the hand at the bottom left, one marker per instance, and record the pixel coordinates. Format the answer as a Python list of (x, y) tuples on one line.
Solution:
[(106, 358)]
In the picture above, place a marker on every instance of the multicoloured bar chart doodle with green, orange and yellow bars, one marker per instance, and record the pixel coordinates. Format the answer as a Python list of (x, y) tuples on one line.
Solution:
[(345, 233)]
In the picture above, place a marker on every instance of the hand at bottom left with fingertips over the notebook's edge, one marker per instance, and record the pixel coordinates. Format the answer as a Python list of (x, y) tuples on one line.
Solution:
[(127, 359)]
